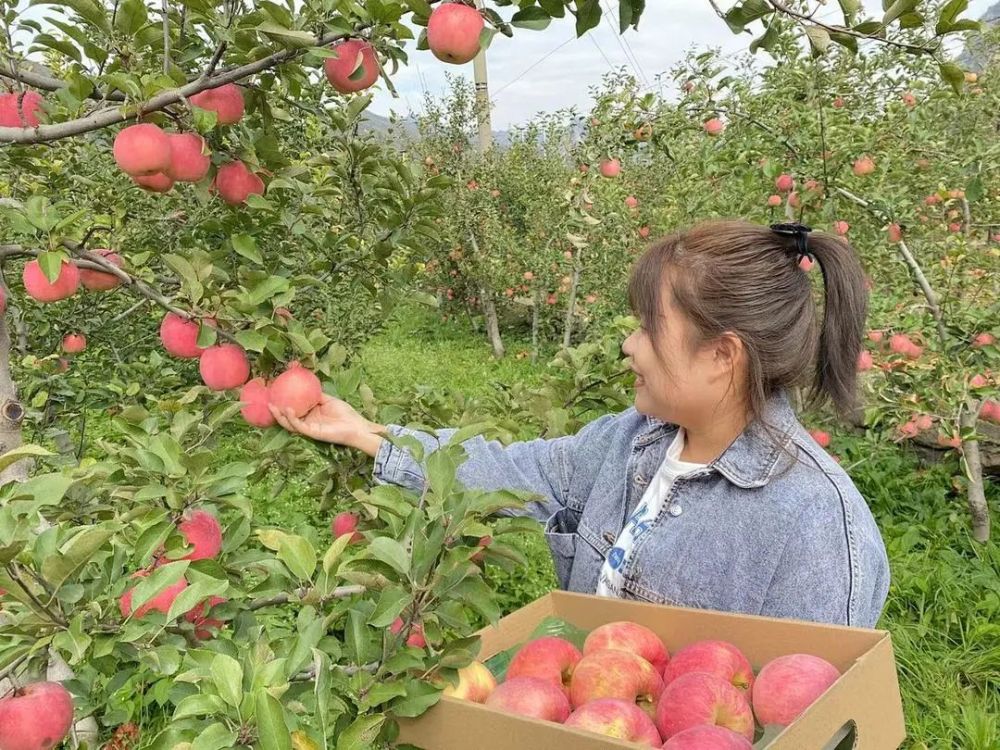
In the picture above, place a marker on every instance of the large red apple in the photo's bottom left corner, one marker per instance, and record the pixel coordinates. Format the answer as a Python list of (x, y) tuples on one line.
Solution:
[(37, 716)]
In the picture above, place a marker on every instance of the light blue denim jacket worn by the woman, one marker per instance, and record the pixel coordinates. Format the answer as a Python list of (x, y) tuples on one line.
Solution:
[(757, 531)]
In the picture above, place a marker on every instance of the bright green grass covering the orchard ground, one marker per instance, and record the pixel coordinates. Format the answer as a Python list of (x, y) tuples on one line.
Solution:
[(944, 604)]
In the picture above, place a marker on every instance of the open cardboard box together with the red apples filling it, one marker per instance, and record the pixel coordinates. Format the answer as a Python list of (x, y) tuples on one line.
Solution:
[(578, 672)]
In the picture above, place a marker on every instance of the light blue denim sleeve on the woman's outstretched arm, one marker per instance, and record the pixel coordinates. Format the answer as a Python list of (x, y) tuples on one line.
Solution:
[(544, 467)]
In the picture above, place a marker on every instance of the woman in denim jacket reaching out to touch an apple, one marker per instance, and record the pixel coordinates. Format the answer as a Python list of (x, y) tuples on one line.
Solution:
[(708, 493)]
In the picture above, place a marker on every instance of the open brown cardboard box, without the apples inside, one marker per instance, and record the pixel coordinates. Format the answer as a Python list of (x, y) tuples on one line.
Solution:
[(861, 710)]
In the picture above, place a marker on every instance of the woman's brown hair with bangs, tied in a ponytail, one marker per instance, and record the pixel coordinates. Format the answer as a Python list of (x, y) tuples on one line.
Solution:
[(738, 277)]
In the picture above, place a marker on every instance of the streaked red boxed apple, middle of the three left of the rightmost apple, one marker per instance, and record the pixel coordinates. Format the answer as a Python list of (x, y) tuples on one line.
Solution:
[(701, 698)]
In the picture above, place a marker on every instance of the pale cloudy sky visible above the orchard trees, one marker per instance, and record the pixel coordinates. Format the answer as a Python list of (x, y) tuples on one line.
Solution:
[(549, 70)]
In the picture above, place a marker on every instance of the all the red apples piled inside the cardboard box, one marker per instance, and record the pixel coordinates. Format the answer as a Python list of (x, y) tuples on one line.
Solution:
[(625, 685)]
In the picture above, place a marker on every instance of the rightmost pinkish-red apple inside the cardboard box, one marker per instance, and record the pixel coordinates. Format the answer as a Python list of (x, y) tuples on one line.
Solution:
[(788, 685)]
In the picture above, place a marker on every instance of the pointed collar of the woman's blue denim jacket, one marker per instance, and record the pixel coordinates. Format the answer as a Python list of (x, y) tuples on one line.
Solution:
[(752, 459)]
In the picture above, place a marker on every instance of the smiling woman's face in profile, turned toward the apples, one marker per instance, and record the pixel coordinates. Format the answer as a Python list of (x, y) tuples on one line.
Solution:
[(682, 385)]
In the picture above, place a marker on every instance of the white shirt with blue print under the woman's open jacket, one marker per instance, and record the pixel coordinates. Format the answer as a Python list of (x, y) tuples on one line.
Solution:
[(639, 523)]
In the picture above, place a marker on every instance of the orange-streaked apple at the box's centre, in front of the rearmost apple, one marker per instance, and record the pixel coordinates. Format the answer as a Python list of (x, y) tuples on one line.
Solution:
[(611, 673)]
